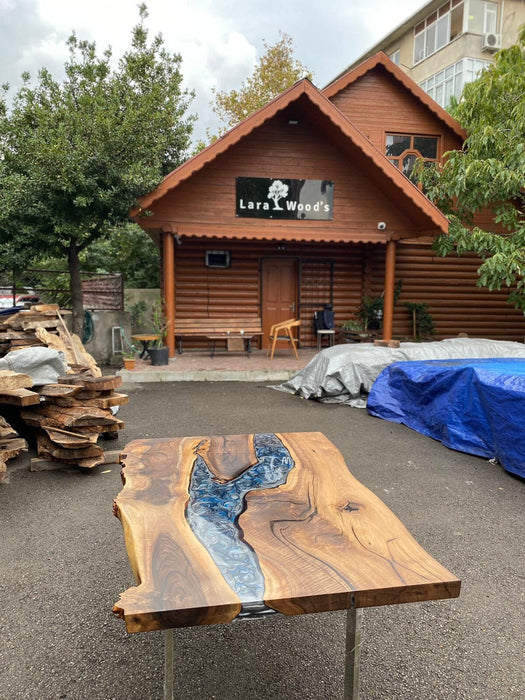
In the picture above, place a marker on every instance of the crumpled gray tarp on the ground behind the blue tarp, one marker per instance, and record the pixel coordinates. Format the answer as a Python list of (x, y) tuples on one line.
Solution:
[(345, 373)]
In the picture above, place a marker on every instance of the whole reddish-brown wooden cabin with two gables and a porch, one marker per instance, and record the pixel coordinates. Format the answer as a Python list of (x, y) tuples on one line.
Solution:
[(306, 202)]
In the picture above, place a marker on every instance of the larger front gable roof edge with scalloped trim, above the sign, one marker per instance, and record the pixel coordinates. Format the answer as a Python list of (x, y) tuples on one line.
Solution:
[(392, 178)]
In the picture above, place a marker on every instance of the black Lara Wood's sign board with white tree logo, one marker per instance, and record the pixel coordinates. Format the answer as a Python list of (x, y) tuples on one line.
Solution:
[(273, 198)]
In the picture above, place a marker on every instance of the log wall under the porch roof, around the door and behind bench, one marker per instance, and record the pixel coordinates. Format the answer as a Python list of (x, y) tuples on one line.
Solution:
[(203, 292)]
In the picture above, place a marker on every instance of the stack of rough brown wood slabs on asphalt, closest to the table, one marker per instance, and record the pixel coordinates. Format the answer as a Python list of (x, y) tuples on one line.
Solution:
[(72, 415)]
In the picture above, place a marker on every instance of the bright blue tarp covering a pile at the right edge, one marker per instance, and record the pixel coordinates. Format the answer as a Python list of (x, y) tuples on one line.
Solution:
[(475, 406)]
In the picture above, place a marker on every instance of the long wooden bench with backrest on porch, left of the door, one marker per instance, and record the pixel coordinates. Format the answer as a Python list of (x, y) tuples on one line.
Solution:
[(218, 328)]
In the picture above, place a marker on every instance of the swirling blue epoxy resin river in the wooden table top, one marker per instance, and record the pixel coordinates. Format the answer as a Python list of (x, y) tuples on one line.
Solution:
[(214, 508)]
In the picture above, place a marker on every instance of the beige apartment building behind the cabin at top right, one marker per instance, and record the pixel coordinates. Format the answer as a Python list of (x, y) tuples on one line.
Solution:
[(443, 46)]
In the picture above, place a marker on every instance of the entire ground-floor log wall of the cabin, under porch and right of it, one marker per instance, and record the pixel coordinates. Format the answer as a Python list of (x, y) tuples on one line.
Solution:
[(447, 285)]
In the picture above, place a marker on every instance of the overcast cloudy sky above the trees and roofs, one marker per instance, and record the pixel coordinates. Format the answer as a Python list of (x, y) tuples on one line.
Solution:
[(219, 40)]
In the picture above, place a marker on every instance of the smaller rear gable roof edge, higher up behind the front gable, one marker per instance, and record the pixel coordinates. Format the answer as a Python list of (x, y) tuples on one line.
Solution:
[(380, 59)]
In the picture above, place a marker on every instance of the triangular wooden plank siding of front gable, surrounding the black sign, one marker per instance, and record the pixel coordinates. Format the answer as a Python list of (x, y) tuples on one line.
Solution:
[(205, 204)]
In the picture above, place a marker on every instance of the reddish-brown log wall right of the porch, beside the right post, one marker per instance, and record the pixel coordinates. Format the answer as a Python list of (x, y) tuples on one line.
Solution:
[(448, 286)]
